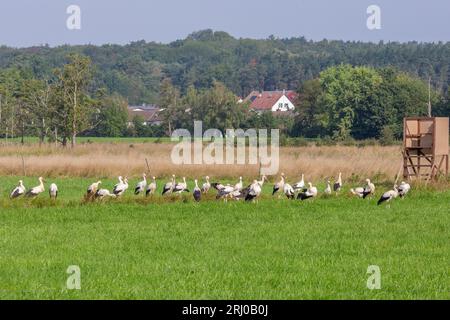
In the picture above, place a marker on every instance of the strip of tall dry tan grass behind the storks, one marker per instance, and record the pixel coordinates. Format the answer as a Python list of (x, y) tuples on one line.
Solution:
[(108, 160)]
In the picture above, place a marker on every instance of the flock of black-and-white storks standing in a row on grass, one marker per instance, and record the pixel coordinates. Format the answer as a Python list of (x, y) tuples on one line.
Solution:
[(298, 190)]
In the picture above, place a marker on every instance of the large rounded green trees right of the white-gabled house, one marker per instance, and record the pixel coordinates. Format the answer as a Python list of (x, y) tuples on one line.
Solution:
[(363, 102)]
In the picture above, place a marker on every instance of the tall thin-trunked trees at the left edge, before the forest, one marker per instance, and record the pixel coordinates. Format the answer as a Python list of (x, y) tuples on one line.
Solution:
[(58, 107)]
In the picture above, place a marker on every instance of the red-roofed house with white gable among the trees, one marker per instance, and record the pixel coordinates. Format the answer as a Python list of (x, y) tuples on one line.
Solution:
[(275, 101)]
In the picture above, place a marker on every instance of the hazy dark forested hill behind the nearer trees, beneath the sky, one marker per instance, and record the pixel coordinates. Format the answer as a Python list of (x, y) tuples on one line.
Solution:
[(242, 65)]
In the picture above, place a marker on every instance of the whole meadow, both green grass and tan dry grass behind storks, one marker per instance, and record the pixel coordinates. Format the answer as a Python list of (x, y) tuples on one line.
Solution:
[(173, 248)]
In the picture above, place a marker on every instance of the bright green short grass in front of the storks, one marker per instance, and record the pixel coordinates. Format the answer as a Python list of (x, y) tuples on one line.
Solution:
[(178, 249)]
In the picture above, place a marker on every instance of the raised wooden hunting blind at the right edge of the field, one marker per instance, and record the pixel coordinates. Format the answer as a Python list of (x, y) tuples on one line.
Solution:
[(425, 147)]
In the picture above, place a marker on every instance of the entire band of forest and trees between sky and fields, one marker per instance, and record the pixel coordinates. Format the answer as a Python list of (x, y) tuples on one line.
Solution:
[(346, 90)]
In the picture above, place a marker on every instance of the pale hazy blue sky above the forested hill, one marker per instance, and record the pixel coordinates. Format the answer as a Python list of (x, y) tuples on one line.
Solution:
[(34, 22)]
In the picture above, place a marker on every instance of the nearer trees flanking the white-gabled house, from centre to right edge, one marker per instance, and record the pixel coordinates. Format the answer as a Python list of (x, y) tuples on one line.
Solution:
[(343, 102)]
